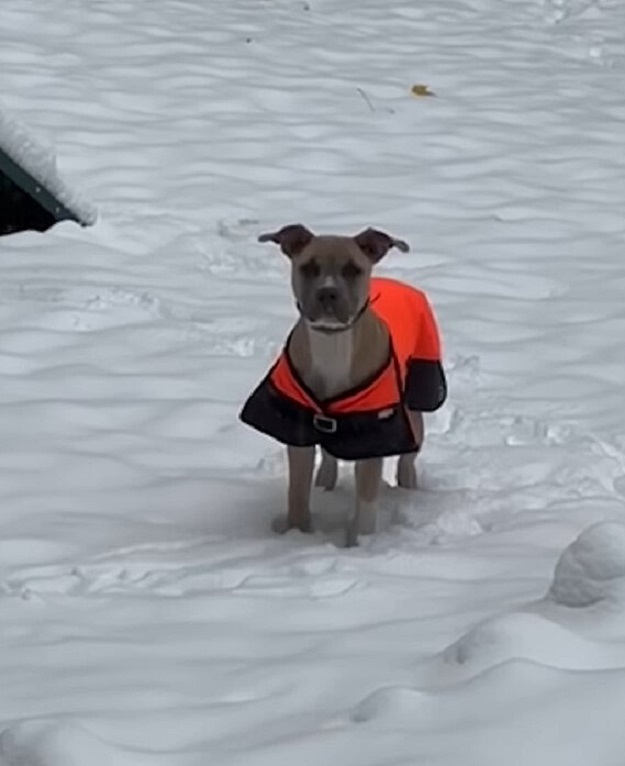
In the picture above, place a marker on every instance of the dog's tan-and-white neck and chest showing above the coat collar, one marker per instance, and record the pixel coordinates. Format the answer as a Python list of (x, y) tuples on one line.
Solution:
[(333, 363)]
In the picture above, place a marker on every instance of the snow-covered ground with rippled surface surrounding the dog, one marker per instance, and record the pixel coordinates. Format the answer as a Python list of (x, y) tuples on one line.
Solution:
[(147, 613)]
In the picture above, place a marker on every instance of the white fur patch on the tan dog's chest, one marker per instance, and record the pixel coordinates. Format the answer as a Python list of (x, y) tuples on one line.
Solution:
[(330, 368)]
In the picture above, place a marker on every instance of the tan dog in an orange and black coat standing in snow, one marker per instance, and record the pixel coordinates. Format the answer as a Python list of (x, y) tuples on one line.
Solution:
[(360, 366)]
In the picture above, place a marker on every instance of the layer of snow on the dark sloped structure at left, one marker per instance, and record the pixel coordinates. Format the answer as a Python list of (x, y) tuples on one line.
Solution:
[(39, 161)]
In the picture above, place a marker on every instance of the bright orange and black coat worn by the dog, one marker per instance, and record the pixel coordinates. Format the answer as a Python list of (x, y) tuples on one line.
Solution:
[(370, 420)]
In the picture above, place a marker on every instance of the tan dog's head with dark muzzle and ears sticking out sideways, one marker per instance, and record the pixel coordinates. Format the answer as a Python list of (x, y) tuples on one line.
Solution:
[(330, 274)]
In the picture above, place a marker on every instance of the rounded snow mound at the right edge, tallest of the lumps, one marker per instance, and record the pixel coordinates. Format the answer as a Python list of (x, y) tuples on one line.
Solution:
[(591, 569)]
